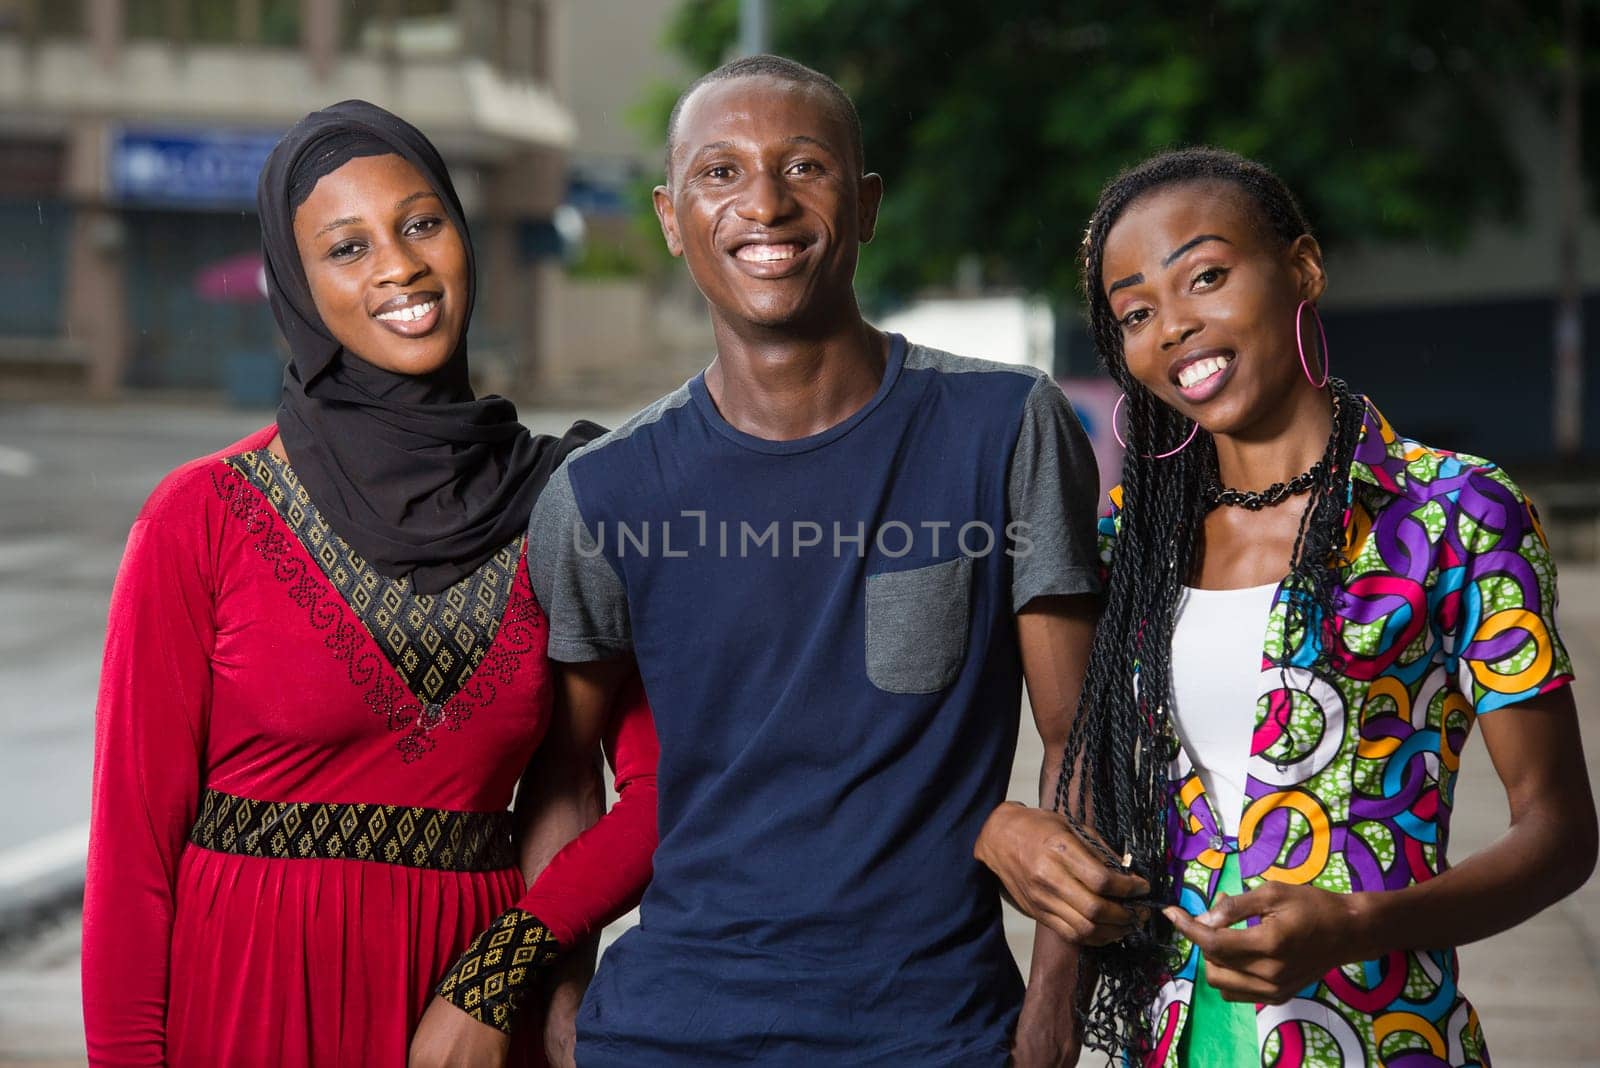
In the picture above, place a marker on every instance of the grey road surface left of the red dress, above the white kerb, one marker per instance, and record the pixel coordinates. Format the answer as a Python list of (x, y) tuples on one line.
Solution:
[(73, 479)]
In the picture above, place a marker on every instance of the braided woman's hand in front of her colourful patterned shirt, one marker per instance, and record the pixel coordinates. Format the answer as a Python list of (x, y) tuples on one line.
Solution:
[(1305, 933)]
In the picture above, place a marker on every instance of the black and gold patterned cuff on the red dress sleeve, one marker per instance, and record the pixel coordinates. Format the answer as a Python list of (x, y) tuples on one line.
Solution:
[(494, 978)]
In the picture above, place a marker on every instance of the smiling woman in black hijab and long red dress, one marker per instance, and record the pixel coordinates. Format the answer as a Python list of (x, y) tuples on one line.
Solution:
[(326, 674)]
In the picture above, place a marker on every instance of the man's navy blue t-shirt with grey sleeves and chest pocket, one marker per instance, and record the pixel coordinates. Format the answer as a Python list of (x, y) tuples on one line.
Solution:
[(826, 631)]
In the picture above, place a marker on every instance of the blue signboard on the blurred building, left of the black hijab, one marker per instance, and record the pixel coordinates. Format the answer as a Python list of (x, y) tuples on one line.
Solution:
[(188, 169)]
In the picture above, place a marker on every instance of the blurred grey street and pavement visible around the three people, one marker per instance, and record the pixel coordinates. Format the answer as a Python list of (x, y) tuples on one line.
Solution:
[(73, 480)]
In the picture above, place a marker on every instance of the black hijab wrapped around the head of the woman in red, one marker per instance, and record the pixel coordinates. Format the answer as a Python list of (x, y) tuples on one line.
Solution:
[(417, 474)]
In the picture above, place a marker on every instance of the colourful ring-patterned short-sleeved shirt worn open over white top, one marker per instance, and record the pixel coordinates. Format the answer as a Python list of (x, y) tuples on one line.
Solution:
[(1447, 612)]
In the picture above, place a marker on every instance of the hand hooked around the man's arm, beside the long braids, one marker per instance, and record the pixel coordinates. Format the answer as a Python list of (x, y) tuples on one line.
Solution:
[(1057, 879)]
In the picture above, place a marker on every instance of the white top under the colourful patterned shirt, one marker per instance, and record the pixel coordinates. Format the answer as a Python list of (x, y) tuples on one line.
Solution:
[(1217, 680)]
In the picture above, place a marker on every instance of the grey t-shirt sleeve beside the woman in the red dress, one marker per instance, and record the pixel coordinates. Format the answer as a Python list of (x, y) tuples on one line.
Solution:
[(582, 594)]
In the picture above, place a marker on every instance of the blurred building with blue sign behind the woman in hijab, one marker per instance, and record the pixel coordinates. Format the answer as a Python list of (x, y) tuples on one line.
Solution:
[(132, 133)]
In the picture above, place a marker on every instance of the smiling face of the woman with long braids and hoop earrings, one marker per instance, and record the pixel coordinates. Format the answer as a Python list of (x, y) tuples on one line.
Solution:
[(1206, 298)]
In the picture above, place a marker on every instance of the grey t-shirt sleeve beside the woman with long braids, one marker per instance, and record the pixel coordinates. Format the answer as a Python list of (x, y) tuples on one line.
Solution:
[(1052, 493)]
